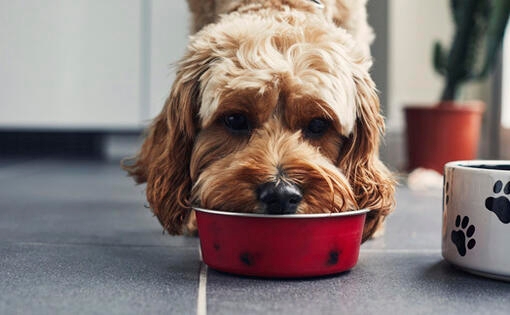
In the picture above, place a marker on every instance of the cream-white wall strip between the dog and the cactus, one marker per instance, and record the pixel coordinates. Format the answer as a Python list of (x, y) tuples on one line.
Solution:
[(414, 26)]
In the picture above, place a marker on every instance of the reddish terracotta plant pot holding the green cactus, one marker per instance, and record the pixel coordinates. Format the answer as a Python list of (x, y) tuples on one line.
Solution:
[(447, 132)]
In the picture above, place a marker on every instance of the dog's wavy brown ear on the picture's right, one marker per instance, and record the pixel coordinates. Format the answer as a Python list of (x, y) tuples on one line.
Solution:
[(372, 182)]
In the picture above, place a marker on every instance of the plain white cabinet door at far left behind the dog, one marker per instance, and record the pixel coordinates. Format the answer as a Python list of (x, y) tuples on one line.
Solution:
[(70, 64)]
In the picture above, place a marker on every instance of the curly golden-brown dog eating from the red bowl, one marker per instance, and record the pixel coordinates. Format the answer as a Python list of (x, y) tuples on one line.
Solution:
[(272, 111)]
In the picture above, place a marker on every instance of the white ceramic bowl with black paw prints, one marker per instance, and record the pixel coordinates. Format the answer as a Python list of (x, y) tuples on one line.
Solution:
[(476, 217)]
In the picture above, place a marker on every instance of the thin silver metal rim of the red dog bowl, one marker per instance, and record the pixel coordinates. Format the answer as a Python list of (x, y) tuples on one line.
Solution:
[(285, 216)]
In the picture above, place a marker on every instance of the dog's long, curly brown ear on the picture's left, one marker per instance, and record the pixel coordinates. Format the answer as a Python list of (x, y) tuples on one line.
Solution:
[(164, 159)]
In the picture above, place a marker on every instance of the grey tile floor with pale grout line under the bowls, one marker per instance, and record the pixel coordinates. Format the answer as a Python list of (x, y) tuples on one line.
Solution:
[(75, 238)]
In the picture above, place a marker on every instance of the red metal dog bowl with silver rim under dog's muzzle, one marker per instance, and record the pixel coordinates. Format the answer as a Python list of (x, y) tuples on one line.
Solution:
[(296, 245)]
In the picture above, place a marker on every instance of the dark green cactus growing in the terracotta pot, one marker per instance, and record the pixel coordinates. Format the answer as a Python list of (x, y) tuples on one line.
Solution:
[(479, 30)]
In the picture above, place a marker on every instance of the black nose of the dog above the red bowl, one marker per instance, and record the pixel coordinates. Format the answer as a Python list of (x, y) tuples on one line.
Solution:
[(281, 198)]
